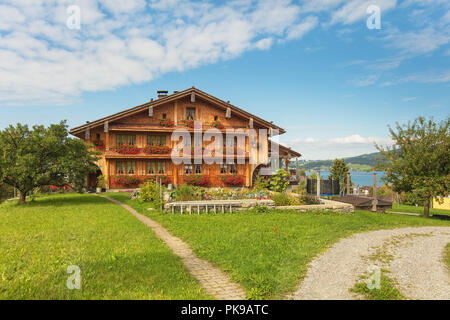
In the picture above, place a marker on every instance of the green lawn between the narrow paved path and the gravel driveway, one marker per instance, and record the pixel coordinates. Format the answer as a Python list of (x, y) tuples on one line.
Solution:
[(268, 253)]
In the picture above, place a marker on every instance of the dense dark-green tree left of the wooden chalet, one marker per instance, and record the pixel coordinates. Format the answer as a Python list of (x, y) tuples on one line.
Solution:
[(40, 156)]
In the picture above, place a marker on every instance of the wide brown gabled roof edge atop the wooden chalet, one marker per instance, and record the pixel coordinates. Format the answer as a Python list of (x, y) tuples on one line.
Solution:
[(172, 97)]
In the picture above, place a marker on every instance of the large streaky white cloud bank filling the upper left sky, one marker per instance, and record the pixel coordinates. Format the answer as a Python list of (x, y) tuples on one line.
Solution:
[(125, 42)]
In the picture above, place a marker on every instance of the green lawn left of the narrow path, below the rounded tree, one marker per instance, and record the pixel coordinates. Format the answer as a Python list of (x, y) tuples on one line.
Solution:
[(119, 257)]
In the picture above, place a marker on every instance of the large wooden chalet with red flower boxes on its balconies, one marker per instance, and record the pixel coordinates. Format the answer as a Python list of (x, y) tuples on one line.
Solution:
[(136, 143)]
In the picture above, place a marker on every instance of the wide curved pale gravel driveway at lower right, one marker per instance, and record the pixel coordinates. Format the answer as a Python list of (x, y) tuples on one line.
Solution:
[(413, 255)]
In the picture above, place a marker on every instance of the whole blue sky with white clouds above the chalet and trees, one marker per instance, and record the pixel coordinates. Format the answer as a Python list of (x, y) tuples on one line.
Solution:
[(312, 67)]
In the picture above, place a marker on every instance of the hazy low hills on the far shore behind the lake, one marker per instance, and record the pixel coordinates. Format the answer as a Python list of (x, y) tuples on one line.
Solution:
[(363, 162)]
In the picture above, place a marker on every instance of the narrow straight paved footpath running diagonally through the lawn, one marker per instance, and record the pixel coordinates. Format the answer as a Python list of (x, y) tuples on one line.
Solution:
[(212, 279)]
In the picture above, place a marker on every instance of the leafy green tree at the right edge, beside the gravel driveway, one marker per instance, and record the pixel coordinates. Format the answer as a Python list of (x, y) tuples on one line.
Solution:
[(419, 161)]
